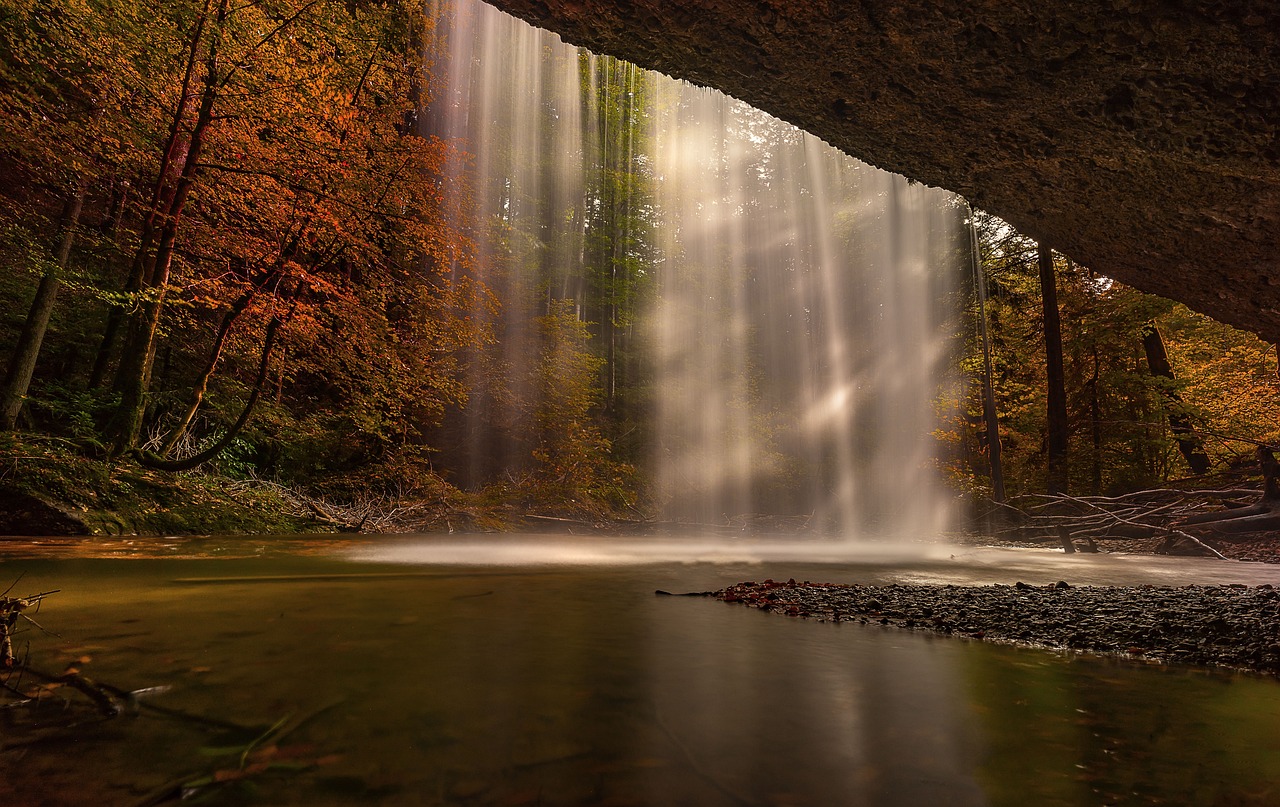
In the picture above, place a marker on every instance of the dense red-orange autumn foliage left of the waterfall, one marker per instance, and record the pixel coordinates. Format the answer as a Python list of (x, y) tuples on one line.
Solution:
[(267, 265)]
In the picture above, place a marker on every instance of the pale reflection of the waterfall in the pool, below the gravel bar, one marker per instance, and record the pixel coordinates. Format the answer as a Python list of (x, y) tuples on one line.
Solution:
[(881, 718)]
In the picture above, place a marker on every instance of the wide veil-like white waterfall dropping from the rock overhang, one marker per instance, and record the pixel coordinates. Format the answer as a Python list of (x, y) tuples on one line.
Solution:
[(790, 303)]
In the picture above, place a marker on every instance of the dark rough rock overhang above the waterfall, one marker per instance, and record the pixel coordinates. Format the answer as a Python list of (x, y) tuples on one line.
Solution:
[(1139, 138)]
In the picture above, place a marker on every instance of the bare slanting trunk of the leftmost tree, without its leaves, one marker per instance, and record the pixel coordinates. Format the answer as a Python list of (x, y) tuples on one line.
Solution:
[(22, 364)]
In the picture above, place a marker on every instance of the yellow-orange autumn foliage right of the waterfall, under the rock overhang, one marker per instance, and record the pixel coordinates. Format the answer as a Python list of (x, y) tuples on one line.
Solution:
[(1130, 427)]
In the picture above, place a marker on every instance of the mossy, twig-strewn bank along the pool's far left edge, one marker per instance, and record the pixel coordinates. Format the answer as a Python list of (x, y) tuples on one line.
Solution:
[(48, 487)]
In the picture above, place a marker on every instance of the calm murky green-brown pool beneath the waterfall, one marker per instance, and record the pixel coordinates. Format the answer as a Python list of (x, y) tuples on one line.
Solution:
[(534, 671)]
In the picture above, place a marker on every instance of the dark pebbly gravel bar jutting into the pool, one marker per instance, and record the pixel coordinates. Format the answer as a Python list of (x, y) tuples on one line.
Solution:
[(1223, 626)]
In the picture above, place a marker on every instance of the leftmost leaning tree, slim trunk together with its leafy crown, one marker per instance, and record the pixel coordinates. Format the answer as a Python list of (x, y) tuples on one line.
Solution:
[(65, 125)]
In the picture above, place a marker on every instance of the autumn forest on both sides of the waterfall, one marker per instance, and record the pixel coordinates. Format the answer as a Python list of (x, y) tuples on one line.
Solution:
[(244, 266)]
